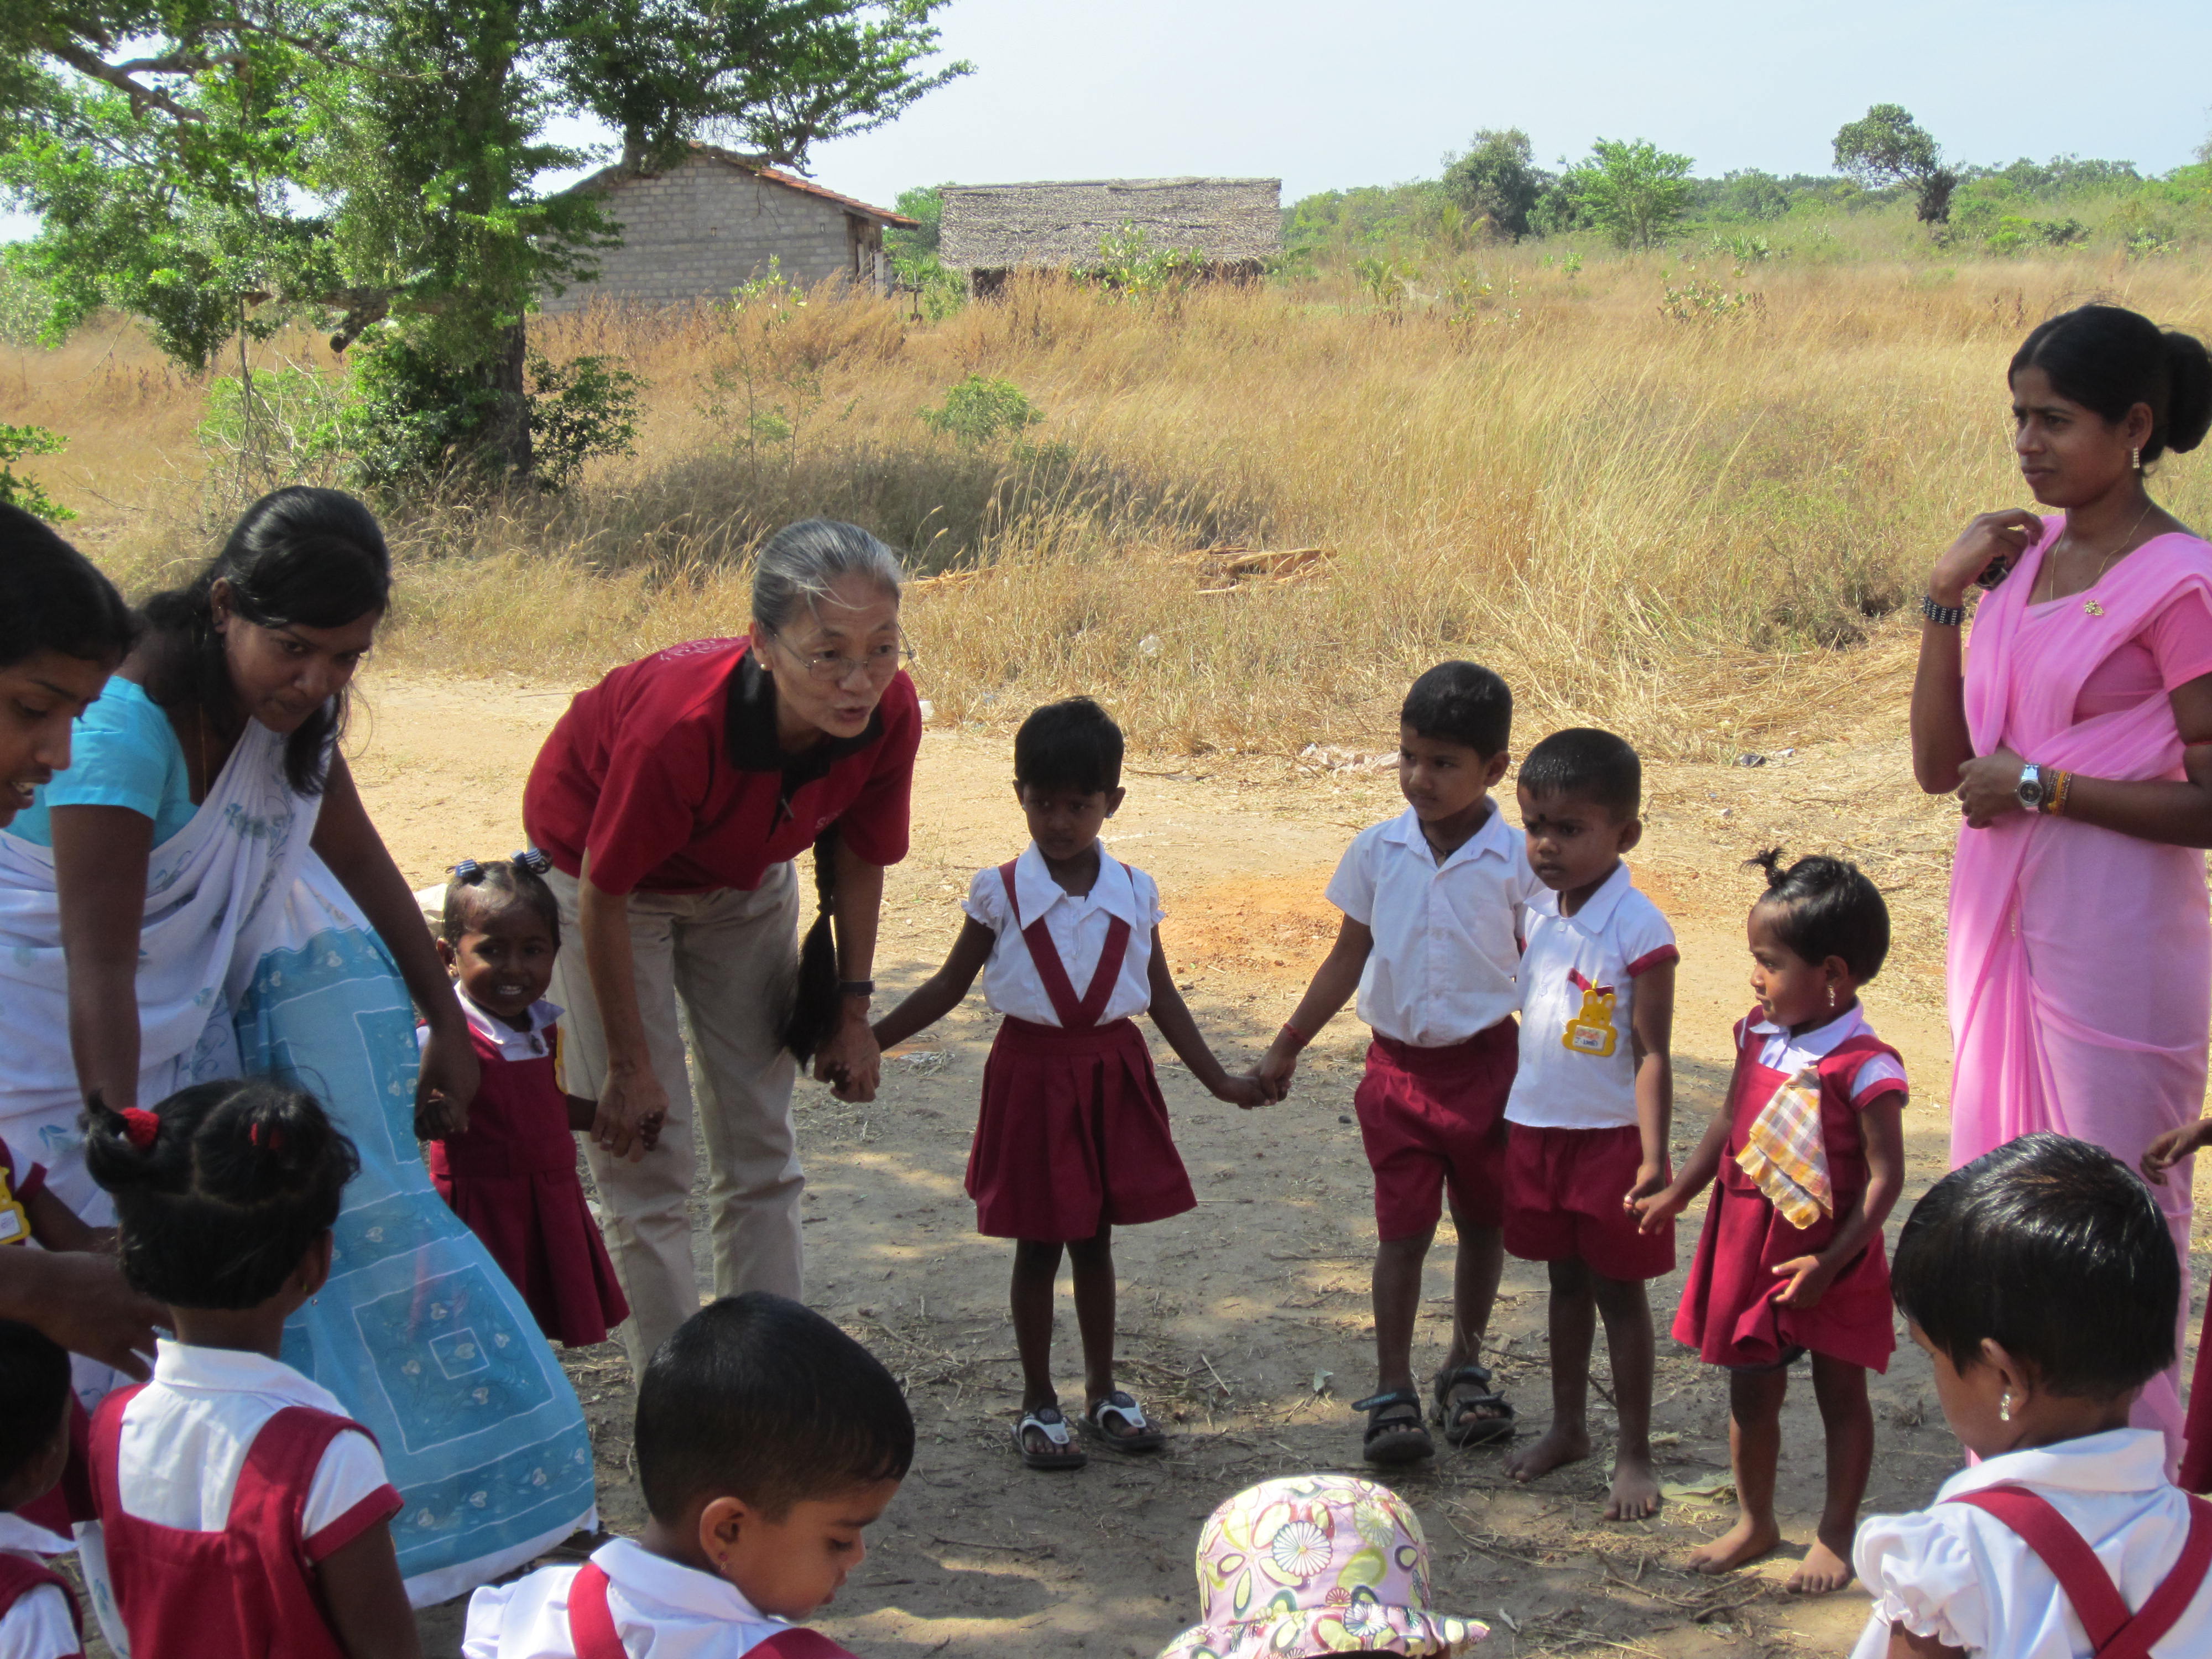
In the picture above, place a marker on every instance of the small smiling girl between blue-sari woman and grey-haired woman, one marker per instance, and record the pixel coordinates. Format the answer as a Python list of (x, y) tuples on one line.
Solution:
[(512, 1173)]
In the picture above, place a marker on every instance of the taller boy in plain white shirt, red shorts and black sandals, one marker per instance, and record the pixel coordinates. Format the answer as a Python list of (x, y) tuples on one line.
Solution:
[(1430, 941)]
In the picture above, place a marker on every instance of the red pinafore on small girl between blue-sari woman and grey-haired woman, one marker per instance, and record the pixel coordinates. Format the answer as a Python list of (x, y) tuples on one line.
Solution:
[(512, 1178)]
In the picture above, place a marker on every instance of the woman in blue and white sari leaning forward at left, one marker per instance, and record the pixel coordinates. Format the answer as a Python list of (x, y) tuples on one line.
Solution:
[(202, 895)]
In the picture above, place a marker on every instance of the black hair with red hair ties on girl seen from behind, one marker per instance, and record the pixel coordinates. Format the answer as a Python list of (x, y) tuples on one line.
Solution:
[(227, 1193)]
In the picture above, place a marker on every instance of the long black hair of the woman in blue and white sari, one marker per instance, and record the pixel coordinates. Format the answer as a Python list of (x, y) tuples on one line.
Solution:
[(311, 559)]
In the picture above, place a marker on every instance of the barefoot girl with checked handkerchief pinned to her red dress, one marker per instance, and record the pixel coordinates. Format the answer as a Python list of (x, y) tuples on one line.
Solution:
[(1811, 1156)]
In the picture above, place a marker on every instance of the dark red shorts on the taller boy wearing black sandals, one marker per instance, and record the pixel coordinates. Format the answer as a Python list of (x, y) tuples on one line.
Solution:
[(1434, 1118)]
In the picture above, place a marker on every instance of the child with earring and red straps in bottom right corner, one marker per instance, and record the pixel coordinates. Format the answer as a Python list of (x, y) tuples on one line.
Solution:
[(2043, 1284)]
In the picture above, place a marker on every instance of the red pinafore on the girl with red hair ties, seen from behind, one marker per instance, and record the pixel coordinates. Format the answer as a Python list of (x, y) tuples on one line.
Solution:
[(240, 1594)]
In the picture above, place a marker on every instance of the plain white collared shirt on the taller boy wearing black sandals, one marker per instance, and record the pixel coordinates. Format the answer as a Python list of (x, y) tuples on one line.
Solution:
[(1448, 937)]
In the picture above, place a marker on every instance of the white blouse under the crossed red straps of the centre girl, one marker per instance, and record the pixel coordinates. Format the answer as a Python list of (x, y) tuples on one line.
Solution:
[(1078, 930)]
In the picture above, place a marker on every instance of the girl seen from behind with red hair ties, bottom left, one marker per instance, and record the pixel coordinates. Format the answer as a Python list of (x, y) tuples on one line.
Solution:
[(236, 1501)]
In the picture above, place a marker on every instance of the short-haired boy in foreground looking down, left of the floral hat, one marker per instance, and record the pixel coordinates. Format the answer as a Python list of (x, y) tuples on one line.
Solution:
[(766, 1446)]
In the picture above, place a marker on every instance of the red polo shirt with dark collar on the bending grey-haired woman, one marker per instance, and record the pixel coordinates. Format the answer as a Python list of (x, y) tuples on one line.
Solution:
[(669, 775)]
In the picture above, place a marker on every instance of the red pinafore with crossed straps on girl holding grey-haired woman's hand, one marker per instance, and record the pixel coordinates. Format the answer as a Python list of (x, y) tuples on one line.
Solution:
[(1074, 1131)]
